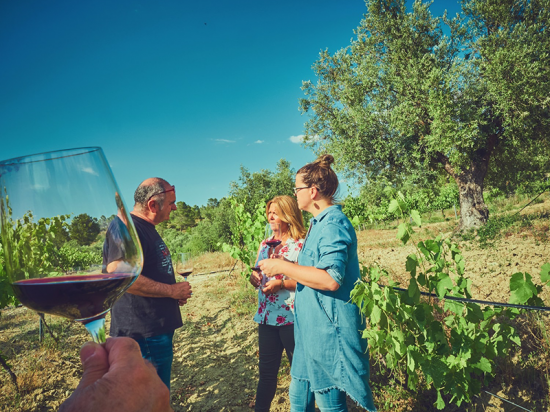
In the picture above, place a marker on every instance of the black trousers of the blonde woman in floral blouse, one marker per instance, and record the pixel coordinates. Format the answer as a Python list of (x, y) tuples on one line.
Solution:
[(272, 341)]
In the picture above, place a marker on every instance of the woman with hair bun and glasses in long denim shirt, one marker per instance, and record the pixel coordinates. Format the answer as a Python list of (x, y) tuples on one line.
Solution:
[(330, 357)]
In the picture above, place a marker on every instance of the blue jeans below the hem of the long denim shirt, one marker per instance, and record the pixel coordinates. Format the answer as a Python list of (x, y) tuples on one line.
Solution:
[(303, 400)]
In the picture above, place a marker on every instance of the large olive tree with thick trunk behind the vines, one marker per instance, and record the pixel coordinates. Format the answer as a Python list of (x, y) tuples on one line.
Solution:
[(414, 92)]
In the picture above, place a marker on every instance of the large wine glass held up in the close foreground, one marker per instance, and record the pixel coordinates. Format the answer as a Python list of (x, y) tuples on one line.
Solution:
[(53, 206)]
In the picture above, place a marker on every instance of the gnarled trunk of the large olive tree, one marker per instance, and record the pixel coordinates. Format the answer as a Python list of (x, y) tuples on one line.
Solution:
[(473, 211)]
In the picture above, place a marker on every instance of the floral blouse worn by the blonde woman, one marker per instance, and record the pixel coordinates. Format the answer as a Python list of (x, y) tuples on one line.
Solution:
[(277, 309)]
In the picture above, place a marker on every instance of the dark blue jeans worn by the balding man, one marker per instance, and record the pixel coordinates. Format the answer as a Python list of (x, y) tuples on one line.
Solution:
[(159, 351)]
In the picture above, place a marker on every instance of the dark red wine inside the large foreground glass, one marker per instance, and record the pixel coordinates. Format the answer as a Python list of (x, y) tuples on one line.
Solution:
[(74, 297)]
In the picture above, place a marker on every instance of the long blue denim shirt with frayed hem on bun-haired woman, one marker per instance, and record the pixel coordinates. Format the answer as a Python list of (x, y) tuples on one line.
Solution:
[(329, 351)]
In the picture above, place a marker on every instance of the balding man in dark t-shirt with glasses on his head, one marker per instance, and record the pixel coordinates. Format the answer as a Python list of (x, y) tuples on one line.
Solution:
[(149, 311)]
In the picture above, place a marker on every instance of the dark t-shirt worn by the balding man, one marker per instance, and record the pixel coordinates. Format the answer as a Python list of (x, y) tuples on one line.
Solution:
[(142, 317)]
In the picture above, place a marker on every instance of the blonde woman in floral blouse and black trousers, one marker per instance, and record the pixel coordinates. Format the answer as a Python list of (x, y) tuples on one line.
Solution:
[(275, 315)]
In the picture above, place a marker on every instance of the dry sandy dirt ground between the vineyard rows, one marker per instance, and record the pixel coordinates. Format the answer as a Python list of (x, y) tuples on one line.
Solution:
[(215, 364)]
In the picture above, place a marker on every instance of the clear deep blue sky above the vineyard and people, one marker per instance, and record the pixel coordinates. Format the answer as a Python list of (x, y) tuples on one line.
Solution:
[(184, 90)]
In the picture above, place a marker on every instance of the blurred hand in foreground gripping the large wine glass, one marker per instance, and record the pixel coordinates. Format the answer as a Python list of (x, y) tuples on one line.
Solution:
[(117, 378)]
